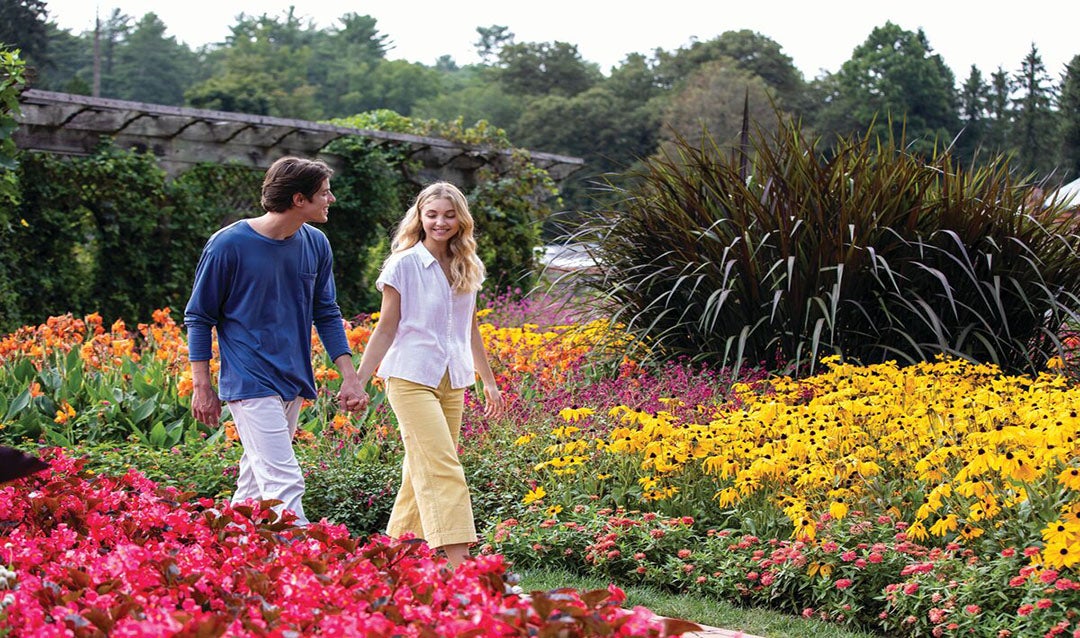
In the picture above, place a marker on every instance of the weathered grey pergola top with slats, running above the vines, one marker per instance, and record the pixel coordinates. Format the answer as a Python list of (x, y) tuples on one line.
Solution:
[(73, 125)]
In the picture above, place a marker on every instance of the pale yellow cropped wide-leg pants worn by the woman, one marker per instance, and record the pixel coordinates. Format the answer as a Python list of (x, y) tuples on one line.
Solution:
[(434, 501)]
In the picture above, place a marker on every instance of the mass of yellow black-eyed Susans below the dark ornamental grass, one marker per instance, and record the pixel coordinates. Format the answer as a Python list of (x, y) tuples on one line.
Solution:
[(952, 447)]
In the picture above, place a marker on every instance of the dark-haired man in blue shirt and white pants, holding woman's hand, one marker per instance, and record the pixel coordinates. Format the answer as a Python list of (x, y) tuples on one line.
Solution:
[(263, 283)]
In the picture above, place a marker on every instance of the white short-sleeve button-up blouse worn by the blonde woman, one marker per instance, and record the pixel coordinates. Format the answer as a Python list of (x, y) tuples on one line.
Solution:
[(435, 334)]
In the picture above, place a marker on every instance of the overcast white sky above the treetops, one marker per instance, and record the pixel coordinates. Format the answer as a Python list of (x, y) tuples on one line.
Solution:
[(818, 36)]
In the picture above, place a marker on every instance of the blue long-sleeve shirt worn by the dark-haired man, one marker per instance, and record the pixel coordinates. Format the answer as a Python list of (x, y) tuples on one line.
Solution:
[(263, 296)]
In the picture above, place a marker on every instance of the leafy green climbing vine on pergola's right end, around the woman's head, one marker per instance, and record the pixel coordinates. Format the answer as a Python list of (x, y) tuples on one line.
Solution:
[(509, 203)]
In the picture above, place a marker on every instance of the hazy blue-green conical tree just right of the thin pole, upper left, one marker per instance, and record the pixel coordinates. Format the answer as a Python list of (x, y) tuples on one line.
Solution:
[(152, 67)]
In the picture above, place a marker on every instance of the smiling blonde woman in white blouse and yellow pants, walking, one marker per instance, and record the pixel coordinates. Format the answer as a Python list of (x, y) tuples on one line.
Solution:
[(427, 346)]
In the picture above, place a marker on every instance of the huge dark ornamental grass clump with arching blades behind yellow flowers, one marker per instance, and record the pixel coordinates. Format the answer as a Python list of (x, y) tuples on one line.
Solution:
[(868, 252)]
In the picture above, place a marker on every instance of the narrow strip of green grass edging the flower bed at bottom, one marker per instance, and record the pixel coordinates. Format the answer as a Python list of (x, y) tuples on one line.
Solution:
[(717, 614)]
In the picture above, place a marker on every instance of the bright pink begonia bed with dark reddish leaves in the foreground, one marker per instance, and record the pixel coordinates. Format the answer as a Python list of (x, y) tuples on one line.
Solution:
[(85, 551)]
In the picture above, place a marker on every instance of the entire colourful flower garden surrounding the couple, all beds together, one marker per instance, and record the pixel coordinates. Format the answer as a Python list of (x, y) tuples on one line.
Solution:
[(940, 499)]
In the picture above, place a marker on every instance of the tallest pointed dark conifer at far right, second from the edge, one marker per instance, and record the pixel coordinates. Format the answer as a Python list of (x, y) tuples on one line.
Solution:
[(1034, 116)]
